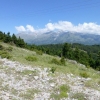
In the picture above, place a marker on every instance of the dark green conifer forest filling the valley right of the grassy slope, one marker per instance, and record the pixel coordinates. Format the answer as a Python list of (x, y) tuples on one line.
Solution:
[(88, 55)]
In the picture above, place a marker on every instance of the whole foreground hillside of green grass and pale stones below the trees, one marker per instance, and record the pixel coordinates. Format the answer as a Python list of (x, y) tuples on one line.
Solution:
[(21, 79)]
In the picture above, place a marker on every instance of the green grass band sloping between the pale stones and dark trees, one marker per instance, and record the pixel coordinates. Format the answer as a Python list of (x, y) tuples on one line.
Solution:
[(19, 54)]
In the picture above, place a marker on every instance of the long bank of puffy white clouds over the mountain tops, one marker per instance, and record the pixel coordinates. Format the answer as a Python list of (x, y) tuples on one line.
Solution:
[(92, 28)]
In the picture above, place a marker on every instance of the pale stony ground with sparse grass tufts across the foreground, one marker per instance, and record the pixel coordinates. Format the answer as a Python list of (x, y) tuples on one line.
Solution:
[(21, 82)]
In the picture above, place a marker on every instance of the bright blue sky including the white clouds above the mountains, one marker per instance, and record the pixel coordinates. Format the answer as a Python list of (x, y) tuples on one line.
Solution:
[(39, 16)]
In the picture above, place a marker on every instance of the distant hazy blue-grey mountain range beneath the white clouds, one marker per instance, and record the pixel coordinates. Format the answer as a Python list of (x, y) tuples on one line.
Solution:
[(60, 37)]
